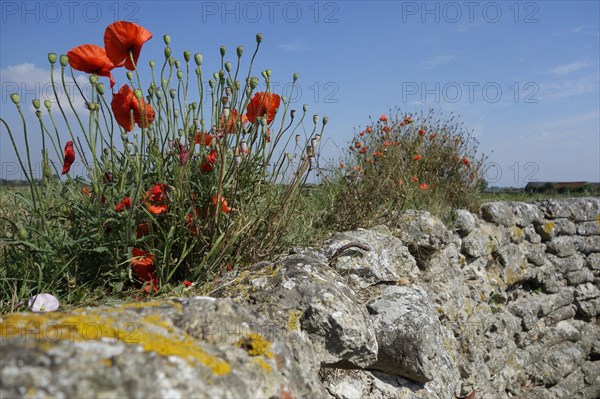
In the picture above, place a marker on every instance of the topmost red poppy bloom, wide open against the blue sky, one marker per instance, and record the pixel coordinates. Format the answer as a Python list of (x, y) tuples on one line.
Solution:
[(123, 41)]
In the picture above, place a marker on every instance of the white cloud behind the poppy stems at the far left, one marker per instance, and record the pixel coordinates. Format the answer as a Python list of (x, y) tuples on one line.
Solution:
[(32, 82)]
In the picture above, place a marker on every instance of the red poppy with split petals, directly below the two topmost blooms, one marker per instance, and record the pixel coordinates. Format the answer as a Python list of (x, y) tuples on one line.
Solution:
[(124, 102)]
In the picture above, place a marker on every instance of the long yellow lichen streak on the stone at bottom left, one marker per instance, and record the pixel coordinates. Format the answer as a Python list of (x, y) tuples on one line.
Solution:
[(51, 327)]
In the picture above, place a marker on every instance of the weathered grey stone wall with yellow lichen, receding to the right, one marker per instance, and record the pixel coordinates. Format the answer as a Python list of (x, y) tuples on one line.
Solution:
[(503, 304)]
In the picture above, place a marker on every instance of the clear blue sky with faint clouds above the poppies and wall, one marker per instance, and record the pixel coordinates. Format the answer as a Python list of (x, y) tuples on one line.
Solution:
[(523, 75)]
